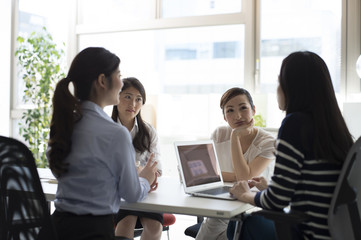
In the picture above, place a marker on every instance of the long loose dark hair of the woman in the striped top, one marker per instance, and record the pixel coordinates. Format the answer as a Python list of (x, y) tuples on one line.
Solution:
[(307, 87)]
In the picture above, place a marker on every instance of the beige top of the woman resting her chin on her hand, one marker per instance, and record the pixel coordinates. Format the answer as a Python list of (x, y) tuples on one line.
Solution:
[(263, 145)]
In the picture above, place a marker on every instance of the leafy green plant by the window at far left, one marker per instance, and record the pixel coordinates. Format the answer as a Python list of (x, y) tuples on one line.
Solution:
[(40, 63)]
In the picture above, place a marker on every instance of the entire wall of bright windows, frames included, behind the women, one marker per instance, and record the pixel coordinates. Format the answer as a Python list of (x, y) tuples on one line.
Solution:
[(188, 52)]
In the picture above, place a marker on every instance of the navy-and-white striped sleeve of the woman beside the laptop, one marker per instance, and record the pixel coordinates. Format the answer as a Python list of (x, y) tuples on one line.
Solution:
[(289, 159)]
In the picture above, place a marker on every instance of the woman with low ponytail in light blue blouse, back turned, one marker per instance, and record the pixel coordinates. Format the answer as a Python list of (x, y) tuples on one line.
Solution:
[(91, 156)]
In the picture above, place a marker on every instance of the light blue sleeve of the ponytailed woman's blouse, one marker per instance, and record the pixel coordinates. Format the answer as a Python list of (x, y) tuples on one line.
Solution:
[(131, 187)]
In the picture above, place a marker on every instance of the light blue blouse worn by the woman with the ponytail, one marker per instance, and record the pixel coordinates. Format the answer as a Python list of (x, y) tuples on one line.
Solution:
[(101, 167)]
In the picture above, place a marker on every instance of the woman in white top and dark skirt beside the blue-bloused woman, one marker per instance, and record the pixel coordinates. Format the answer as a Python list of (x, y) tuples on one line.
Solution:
[(145, 141)]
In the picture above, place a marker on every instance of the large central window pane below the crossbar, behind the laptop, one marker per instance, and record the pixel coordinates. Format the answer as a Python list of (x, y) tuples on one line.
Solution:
[(180, 64)]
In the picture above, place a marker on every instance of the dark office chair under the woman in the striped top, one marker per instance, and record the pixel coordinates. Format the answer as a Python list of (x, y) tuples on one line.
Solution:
[(344, 214)]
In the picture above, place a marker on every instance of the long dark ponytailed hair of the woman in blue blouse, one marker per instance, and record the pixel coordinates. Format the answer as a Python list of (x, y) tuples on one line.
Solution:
[(84, 70)]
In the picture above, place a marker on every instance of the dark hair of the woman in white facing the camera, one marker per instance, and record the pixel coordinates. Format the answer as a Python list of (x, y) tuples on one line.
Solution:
[(141, 141)]
